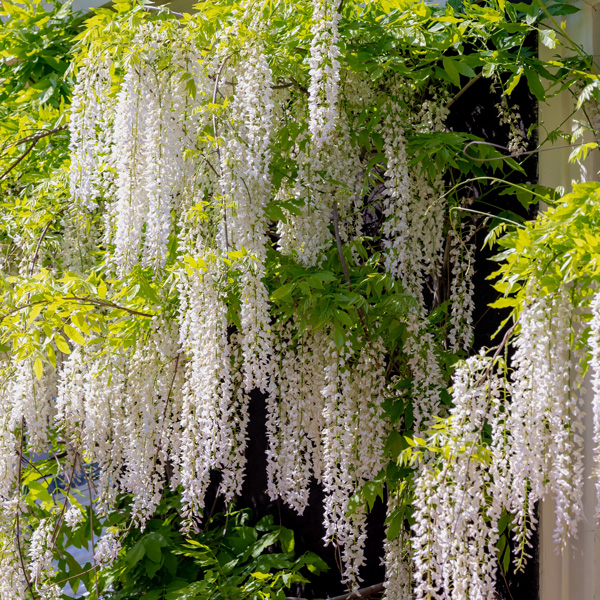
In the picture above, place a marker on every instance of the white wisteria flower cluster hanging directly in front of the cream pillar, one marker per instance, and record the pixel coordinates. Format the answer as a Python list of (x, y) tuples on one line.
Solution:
[(546, 390)]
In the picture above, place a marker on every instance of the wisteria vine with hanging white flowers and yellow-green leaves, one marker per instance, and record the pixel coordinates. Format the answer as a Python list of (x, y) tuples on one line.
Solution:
[(267, 198)]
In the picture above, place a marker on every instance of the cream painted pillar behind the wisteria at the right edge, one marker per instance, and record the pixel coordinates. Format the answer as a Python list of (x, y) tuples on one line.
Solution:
[(574, 574)]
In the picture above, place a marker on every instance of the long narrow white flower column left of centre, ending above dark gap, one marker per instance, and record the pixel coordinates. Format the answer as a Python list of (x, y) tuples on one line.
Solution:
[(248, 185)]
